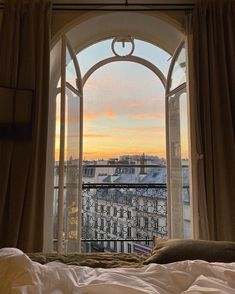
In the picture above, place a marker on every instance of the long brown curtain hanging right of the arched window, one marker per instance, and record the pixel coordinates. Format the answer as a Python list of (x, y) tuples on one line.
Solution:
[(213, 44)]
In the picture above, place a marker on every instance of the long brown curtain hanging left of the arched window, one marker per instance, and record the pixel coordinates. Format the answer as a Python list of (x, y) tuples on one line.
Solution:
[(24, 68)]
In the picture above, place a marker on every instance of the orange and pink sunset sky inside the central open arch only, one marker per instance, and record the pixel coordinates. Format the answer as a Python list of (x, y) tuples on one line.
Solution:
[(124, 112)]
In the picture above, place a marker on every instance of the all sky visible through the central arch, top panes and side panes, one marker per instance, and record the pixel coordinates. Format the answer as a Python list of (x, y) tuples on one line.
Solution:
[(124, 105)]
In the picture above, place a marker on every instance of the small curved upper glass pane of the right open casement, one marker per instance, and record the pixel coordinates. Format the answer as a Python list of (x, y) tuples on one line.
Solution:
[(178, 75)]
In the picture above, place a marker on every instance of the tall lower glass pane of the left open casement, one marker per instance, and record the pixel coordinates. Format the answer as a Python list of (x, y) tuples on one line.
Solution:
[(72, 117)]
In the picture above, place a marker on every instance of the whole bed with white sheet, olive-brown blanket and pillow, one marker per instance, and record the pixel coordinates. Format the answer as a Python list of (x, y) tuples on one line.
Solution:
[(164, 271)]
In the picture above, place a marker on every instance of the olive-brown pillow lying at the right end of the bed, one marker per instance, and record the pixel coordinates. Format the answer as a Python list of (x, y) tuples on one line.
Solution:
[(166, 251)]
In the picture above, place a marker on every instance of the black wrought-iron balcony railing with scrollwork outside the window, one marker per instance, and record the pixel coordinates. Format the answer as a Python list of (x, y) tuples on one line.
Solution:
[(116, 217)]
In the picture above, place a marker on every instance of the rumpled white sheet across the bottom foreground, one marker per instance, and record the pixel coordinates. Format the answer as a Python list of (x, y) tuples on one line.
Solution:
[(18, 274)]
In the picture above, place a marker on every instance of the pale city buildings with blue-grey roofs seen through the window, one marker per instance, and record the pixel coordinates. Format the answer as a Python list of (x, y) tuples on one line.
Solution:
[(114, 210)]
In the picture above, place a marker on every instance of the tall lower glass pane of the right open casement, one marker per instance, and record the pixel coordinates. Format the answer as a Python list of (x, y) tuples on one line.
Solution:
[(179, 166)]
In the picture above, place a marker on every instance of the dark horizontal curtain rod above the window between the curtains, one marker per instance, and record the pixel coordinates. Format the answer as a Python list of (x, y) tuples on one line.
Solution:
[(118, 7)]
